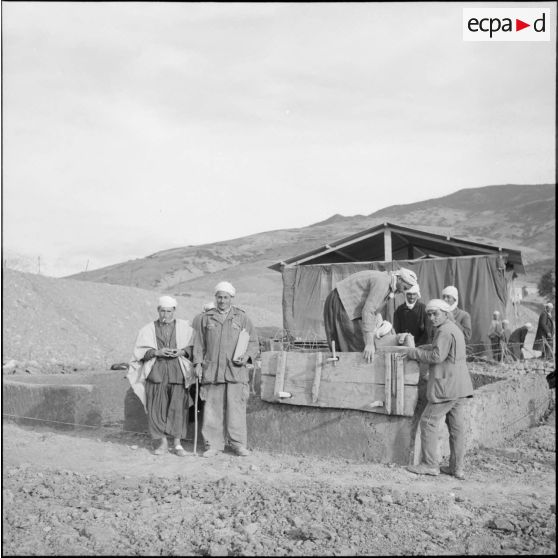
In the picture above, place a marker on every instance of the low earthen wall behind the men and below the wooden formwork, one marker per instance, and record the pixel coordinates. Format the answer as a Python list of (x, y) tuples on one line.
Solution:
[(499, 409)]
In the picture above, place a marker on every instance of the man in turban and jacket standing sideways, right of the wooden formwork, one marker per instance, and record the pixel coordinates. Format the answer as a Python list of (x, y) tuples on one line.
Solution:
[(448, 387)]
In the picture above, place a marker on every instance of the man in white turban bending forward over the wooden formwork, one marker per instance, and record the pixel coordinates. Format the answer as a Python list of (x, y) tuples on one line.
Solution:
[(350, 308)]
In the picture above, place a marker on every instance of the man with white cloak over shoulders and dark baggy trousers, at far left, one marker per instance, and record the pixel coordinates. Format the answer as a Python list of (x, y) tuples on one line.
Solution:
[(161, 373)]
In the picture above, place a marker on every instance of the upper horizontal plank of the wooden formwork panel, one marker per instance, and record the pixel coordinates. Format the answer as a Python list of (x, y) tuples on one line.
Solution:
[(351, 367)]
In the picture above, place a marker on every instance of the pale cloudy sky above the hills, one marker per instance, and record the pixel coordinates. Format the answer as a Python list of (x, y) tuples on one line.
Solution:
[(130, 128)]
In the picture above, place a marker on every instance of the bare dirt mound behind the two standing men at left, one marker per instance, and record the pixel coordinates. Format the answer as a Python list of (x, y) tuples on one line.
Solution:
[(63, 325)]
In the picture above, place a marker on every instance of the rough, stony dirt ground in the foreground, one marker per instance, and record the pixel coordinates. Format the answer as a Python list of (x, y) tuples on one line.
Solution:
[(102, 492)]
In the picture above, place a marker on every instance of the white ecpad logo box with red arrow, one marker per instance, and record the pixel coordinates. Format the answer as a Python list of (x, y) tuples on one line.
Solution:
[(506, 24)]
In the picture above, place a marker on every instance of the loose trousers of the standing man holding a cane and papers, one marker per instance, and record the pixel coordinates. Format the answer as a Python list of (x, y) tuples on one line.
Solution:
[(224, 415)]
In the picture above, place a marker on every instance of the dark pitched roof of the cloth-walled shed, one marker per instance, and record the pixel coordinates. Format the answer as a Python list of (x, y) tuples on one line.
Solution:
[(406, 243)]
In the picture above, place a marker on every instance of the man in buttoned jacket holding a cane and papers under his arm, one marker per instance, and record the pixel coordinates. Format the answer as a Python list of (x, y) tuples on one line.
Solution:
[(220, 332)]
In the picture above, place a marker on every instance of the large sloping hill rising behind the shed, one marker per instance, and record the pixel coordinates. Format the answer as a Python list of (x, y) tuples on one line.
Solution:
[(516, 216)]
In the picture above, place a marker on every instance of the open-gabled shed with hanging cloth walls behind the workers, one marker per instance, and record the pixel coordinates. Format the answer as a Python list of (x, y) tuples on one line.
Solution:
[(482, 273)]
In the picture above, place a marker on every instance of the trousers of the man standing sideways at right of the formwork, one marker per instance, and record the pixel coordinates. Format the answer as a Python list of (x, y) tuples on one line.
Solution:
[(454, 413)]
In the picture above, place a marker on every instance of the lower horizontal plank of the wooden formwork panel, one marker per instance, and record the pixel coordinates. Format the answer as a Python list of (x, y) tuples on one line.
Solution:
[(355, 396)]
